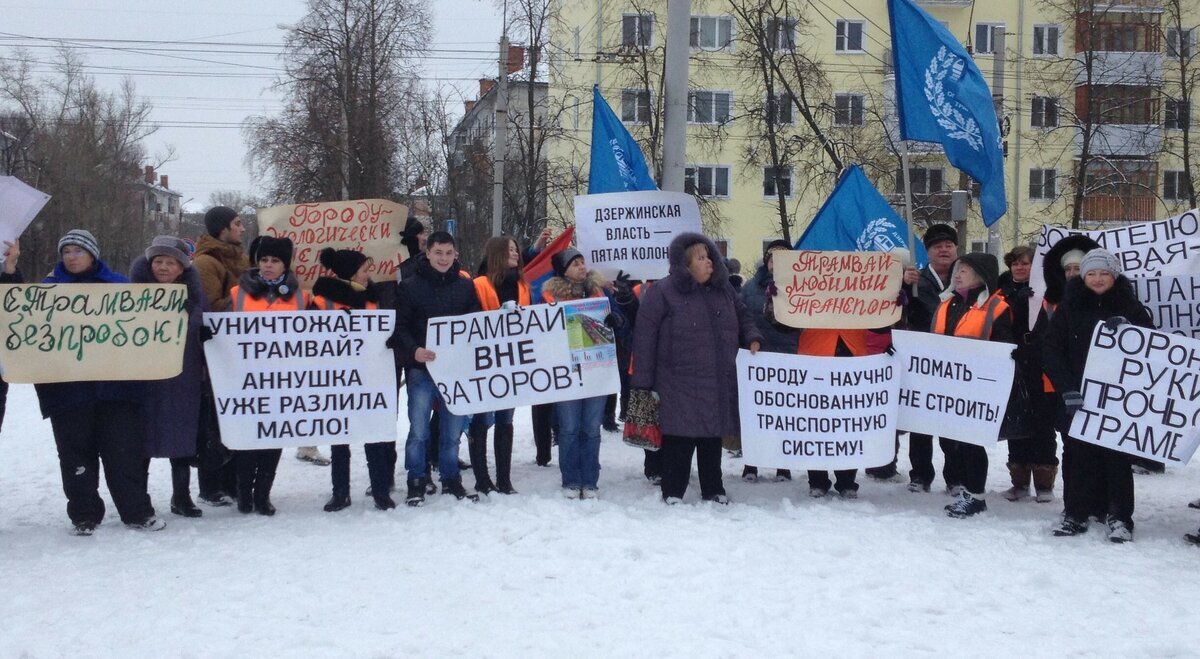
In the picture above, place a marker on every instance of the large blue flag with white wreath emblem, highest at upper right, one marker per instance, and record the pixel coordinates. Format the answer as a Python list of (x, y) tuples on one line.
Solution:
[(943, 98)]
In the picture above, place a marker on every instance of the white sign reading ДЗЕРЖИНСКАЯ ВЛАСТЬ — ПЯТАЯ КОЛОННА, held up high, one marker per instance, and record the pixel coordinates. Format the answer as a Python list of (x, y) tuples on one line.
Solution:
[(632, 231)]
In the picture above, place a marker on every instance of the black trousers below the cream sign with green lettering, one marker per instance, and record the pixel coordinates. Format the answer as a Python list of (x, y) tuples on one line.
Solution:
[(107, 434)]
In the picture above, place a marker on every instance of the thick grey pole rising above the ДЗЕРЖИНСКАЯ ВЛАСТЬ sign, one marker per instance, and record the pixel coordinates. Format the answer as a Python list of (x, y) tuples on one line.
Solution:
[(675, 133)]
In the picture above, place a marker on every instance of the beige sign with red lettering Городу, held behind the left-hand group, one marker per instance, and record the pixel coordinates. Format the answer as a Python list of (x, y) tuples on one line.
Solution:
[(368, 226)]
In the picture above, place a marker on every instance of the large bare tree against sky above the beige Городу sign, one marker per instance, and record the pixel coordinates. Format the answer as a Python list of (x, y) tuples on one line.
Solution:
[(350, 65)]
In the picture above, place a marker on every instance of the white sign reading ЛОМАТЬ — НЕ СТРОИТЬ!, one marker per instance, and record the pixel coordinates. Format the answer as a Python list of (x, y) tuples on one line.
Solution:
[(953, 387)]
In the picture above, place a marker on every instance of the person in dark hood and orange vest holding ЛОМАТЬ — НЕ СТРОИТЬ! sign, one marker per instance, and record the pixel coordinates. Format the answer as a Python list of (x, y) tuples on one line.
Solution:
[(975, 310)]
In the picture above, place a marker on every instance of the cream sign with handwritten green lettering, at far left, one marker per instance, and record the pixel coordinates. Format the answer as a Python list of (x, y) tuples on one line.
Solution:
[(93, 332)]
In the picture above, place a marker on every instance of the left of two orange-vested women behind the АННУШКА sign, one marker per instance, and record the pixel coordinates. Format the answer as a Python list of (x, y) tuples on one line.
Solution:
[(269, 287)]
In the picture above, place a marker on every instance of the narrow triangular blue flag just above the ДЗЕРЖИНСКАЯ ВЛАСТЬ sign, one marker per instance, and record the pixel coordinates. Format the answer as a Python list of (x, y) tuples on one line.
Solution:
[(617, 163)]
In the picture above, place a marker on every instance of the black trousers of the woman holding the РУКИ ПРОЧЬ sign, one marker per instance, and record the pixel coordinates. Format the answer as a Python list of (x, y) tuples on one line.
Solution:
[(1101, 482)]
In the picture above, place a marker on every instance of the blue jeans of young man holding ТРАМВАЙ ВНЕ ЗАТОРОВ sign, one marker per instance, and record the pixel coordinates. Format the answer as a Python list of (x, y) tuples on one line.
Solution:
[(422, 397)]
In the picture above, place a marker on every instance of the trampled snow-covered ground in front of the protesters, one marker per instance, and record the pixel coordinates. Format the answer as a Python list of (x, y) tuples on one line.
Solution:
[(536, 576)]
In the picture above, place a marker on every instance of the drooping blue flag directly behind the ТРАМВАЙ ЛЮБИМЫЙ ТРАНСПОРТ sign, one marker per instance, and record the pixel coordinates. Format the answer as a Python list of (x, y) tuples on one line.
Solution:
[(857, 219)]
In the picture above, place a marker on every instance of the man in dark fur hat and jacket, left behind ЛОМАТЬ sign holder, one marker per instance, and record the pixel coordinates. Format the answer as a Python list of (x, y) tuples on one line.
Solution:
[(941, 244)]
